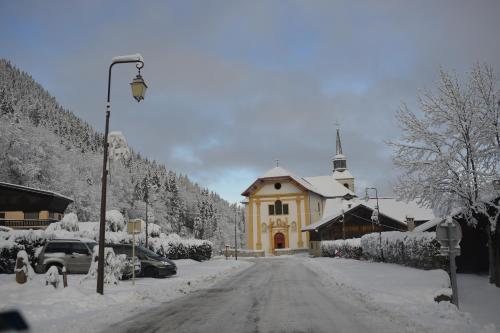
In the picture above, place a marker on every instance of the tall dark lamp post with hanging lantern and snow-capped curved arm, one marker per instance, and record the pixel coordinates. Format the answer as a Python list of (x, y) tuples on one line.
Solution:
[(138, 91)]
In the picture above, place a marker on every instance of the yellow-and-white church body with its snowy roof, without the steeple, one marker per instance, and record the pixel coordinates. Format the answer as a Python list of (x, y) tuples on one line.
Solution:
[(279, 204)]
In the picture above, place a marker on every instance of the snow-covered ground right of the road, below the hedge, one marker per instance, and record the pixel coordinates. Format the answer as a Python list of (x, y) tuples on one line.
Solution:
[(406, 294)]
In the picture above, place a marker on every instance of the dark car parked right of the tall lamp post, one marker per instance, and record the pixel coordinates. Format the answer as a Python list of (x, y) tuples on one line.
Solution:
[(152, 264)]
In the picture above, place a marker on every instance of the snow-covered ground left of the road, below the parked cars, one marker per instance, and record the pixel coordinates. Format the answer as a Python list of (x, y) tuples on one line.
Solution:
[(79, 309)]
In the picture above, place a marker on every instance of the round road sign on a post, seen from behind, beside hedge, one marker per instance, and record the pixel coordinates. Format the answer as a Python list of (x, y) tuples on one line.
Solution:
[(449, 235)]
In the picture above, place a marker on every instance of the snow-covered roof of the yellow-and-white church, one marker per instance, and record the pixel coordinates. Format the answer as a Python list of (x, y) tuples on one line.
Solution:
[(325, 186)]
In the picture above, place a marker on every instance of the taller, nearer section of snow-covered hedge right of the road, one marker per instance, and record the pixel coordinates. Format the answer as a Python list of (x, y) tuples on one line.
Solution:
[(416, 249)]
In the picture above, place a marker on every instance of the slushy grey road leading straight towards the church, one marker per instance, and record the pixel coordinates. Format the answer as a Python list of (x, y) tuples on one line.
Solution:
[(274, 295)]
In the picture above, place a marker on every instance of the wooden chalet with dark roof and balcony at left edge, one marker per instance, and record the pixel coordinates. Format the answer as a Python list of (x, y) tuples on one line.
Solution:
[(24, 207)]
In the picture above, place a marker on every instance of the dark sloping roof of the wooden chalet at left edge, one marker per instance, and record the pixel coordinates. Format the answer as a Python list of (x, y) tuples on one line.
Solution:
[(23, 198)]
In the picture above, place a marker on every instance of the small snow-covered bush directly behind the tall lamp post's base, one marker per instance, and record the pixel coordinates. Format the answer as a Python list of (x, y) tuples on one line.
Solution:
[(114, 265)]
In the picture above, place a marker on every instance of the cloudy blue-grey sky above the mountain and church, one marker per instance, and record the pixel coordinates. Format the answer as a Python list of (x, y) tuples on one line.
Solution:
[(235, 85)]
